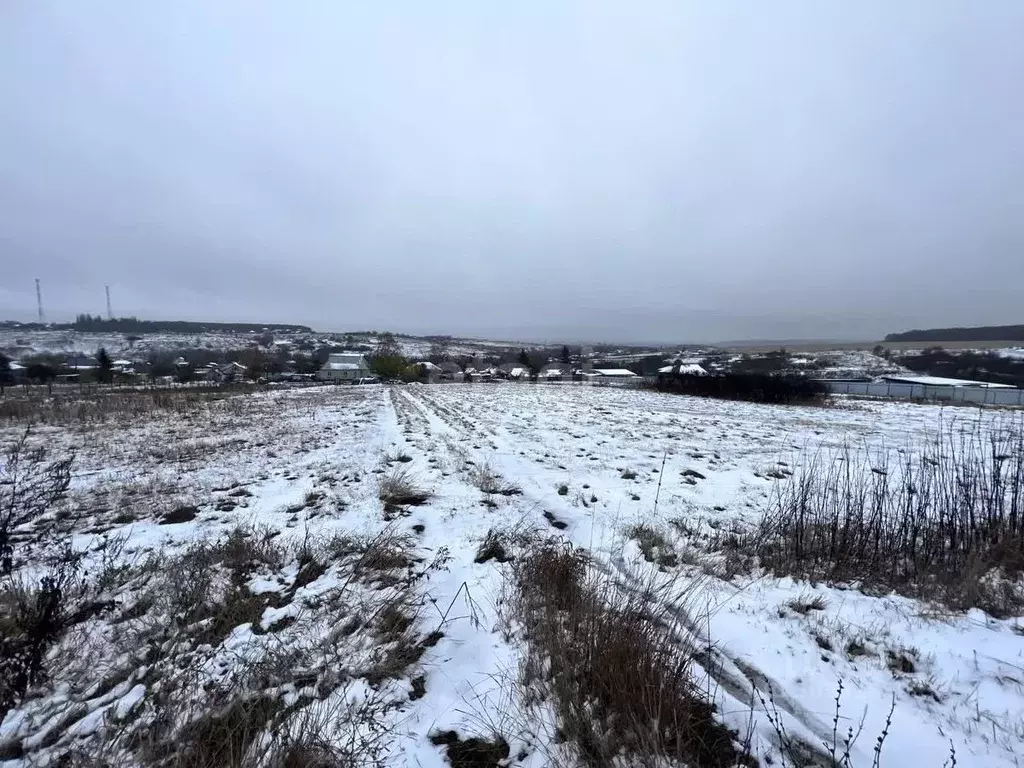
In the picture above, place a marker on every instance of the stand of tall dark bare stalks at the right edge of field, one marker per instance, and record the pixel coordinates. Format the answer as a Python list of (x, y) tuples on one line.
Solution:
[(945, 522)]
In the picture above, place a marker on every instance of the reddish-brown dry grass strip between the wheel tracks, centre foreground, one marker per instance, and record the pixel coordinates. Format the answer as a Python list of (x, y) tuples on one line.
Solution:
[(610, 660)]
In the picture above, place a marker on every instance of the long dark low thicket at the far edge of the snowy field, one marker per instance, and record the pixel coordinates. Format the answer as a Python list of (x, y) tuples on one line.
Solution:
[(750, 388)]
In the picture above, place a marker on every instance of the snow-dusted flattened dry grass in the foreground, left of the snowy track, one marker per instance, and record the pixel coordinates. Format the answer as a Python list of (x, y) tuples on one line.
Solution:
[(215, 704)]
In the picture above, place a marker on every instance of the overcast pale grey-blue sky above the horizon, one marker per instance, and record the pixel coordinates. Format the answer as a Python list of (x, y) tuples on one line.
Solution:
[(662, 170)]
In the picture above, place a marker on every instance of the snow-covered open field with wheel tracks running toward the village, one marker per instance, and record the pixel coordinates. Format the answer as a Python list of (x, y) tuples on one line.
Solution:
[(590, 462)]
